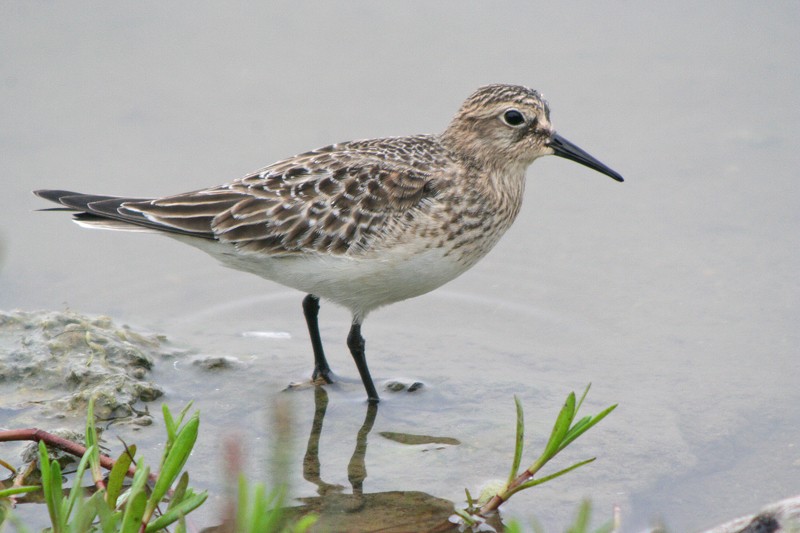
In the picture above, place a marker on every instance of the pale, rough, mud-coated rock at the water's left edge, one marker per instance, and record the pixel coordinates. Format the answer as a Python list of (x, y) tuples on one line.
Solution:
[(61, 359)]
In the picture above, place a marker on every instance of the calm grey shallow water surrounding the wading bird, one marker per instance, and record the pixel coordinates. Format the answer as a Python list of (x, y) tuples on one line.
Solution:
[(674, 293)]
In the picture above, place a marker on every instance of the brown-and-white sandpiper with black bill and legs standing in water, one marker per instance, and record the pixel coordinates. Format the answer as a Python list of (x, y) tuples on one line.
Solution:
[(363, 223)]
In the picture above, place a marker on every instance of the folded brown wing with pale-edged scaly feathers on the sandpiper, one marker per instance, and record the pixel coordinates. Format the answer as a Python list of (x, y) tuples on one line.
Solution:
[(302, 205)]
